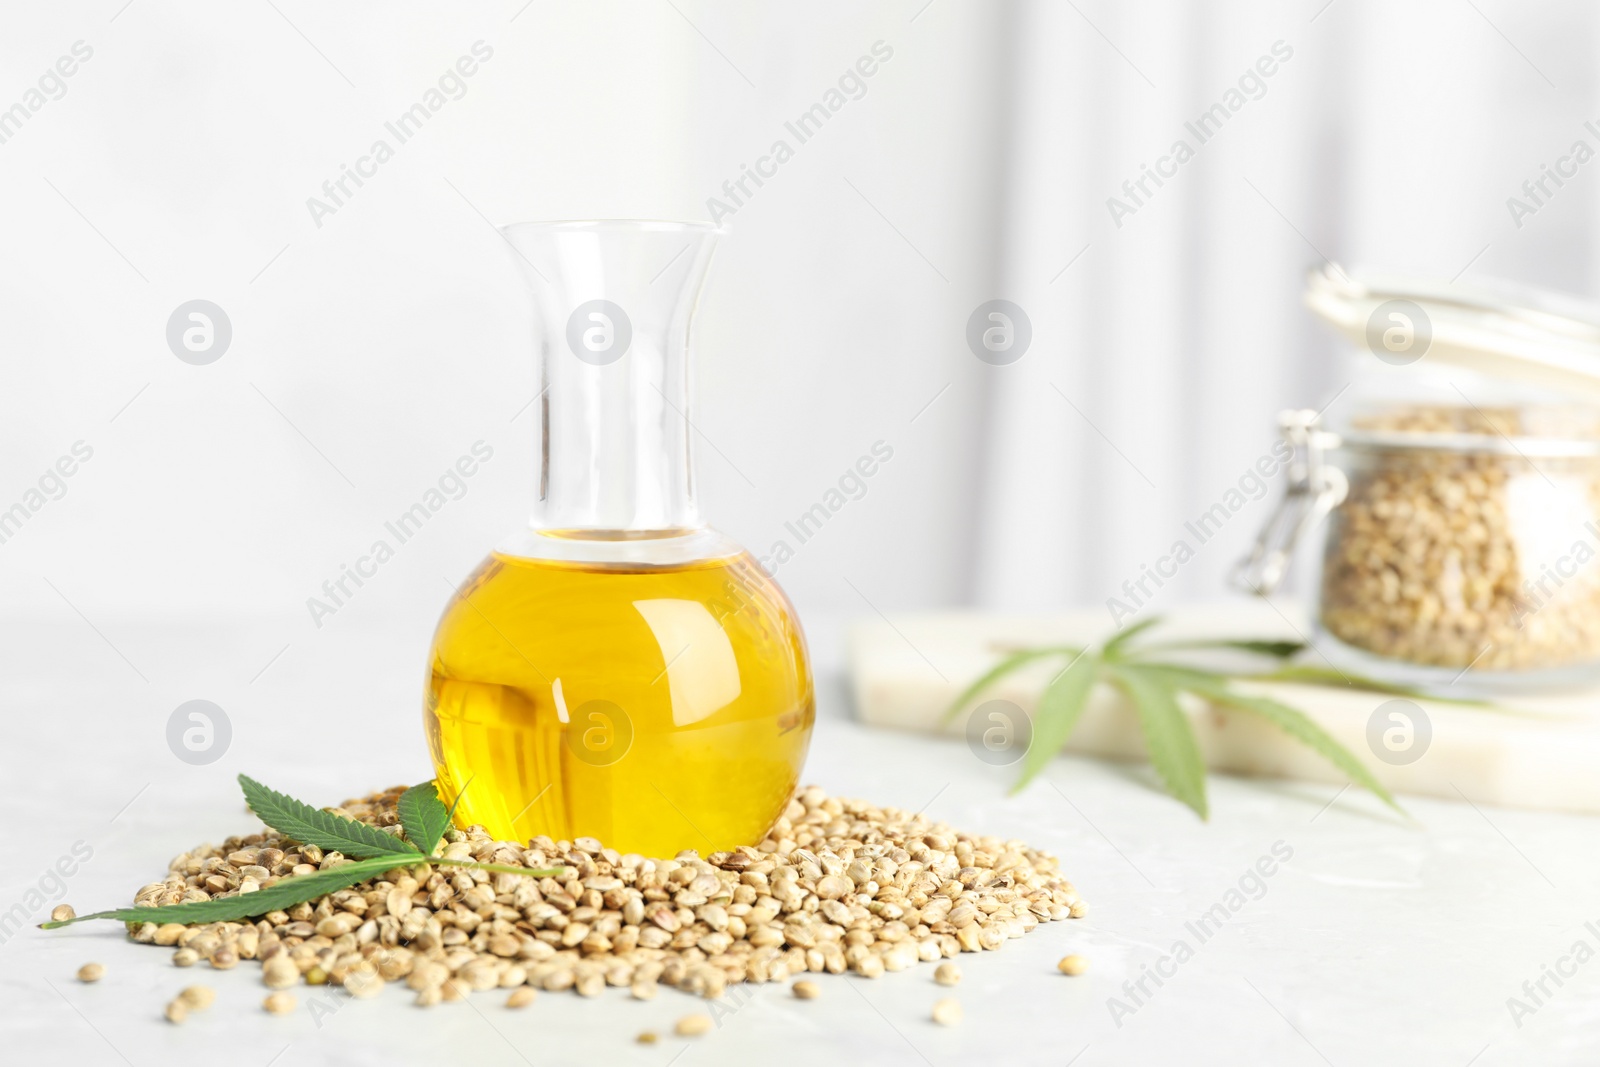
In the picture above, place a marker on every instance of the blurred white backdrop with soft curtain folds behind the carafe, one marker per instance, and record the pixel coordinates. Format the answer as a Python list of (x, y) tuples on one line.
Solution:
[(374, 351)]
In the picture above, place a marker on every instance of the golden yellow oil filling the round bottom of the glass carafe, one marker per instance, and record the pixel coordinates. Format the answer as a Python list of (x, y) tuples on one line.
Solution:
[(655, 709)]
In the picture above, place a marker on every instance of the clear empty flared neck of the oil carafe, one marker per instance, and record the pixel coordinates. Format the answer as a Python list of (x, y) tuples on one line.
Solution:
[(615, 303)]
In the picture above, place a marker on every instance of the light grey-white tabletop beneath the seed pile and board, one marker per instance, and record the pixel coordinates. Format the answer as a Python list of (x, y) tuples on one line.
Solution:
[(1377, 943)]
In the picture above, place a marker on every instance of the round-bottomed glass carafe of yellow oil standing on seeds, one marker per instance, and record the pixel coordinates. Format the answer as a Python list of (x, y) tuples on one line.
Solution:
[(618, 669)]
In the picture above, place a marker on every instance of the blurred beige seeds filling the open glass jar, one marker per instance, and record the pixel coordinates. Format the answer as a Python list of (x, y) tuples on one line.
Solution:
[(1468, 559)]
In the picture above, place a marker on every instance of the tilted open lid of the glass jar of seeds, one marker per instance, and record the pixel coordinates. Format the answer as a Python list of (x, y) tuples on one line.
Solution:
[(1502, 330)]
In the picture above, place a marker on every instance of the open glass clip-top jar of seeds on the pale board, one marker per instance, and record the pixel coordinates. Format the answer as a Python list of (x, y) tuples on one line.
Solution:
[(1462, 490)]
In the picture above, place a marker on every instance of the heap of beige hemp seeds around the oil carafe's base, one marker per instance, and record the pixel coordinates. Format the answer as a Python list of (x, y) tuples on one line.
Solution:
[(838, 885)]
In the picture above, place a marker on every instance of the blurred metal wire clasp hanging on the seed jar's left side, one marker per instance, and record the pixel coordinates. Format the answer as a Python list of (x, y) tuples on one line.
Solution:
[(1314, 489)]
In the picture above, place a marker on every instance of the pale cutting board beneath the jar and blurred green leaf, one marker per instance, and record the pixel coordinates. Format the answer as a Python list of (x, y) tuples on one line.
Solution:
[(1526, 753)]
